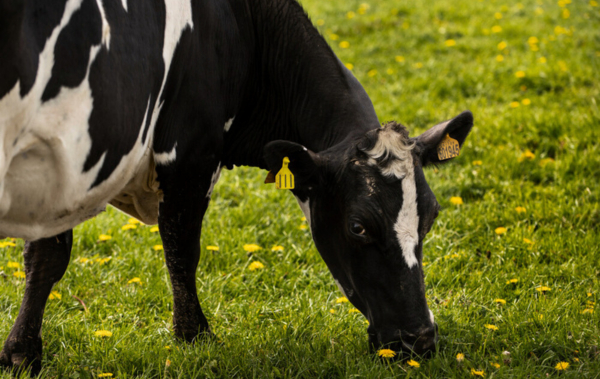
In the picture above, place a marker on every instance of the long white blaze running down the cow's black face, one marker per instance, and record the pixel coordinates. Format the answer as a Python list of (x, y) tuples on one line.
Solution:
[(407, 223)]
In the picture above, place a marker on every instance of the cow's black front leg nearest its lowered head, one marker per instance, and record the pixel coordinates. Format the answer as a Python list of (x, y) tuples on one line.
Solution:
[(186, 197)]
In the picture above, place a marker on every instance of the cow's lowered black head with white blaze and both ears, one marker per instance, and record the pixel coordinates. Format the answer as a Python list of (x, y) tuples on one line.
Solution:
[(369, 209)]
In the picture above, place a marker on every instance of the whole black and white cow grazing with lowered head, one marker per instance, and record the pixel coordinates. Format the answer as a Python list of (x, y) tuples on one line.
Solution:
[(139, 104)]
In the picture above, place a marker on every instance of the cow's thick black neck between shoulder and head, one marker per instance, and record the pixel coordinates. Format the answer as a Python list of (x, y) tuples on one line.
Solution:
[(297, 89)]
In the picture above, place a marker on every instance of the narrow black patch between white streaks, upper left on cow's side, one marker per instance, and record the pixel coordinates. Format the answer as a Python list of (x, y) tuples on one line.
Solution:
[(72, 50)]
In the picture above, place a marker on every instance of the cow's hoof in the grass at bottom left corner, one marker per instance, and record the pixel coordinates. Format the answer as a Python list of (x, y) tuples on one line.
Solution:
[(20, 358)]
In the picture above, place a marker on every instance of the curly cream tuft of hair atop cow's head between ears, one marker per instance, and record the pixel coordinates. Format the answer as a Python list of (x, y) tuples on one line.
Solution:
[(389, 148)]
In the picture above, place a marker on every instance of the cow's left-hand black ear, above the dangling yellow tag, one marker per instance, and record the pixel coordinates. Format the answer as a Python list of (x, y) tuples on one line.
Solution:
[(303, 162)]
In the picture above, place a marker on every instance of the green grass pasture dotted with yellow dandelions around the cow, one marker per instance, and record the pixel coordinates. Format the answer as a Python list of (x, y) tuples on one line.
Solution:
[(515, 268)]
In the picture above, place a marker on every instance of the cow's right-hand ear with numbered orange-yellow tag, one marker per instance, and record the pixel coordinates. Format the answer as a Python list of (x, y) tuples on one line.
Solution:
[(437, 145)]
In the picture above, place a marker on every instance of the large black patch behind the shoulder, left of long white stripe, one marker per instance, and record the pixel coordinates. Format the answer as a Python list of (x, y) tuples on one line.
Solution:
[(125, 81)]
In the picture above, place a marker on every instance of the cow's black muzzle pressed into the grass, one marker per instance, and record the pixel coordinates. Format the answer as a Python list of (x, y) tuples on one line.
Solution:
[(404, 344)]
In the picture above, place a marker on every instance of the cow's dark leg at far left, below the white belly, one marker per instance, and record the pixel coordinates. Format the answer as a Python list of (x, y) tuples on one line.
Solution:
[(46, 261)]
